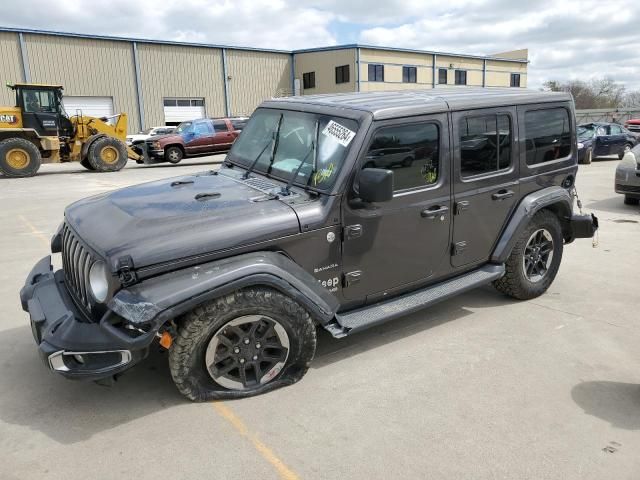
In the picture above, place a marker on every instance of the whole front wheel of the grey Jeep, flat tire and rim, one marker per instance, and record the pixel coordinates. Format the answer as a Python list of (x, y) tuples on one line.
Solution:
[(246, 343)]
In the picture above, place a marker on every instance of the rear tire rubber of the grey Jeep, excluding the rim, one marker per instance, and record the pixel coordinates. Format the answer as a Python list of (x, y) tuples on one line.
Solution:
[(514, 282)]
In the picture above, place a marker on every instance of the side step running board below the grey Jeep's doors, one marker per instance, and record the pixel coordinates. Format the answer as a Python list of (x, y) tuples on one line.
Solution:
[(356, 320)]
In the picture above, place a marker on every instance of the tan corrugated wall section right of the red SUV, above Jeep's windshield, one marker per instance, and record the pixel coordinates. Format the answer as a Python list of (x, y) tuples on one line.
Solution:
[(255, 77)]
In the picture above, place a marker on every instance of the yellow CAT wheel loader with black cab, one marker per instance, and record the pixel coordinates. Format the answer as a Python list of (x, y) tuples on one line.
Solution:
[(38, 130)]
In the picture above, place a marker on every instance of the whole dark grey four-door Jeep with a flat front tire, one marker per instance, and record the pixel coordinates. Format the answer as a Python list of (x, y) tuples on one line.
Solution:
[(233, 270)]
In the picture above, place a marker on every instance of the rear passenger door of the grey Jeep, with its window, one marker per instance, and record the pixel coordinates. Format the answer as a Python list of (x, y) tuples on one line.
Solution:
[(485, 185)]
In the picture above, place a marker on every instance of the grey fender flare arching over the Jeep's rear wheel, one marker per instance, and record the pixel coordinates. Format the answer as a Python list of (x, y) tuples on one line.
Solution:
[(555, 198)]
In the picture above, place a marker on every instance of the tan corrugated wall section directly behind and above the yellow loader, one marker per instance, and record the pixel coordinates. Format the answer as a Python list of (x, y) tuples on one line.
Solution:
[(86, 67)]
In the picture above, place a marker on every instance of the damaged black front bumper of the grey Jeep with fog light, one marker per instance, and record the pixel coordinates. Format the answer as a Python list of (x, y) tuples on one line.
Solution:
[(69, 343)]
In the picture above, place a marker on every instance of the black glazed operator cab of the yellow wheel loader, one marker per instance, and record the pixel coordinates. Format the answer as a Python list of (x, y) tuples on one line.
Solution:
[(40, 111)]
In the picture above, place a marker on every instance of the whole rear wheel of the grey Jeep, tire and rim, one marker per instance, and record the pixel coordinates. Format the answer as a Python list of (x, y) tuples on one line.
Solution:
[(535, 259)]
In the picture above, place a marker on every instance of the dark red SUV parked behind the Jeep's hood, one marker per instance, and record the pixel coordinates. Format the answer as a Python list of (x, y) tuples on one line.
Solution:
[(195, 137)]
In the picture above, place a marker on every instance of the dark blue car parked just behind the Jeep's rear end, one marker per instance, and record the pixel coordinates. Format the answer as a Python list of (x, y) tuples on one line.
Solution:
[(600, 139)]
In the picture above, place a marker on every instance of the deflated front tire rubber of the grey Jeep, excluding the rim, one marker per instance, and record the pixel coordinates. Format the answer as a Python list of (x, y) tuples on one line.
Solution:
[(196, 329)]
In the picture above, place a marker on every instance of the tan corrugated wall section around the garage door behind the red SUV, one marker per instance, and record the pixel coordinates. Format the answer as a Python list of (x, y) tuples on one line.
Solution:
[(176, 71)]
